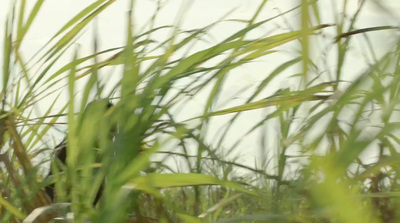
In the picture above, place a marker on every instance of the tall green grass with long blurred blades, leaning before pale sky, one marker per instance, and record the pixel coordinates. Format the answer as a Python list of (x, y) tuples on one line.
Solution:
[(327, 144)]
